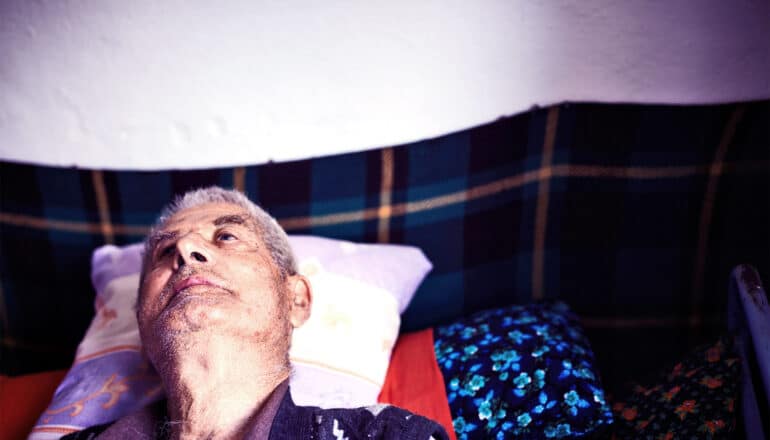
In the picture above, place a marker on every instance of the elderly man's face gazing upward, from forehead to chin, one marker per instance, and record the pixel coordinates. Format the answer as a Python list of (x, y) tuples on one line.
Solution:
[(209, 274)]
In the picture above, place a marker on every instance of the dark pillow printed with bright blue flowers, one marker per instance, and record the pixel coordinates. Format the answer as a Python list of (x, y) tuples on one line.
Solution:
[(521, 371)]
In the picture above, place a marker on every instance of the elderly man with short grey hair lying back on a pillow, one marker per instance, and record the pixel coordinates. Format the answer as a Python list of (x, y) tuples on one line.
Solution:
[(219, 297)]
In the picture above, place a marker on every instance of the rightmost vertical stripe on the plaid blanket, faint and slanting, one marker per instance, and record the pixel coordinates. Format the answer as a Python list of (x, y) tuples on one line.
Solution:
[(707, 209)]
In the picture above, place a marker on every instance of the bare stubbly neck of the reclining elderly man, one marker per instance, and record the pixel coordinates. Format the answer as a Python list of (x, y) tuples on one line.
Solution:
[(216, 389)]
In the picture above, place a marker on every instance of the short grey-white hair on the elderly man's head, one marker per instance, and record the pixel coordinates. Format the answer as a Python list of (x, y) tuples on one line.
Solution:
[(272, 234)]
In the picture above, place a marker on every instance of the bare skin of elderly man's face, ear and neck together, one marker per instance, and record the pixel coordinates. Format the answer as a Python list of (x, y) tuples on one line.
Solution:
[(215, 316)]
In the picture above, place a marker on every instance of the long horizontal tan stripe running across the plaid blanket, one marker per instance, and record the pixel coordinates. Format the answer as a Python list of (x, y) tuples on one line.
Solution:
[(476, 192)]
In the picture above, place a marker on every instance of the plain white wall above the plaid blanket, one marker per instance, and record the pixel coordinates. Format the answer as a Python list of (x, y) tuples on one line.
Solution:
[(145, 84)]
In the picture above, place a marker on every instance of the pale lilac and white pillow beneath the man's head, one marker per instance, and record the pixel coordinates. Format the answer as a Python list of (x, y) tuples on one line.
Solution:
[(339, 357)]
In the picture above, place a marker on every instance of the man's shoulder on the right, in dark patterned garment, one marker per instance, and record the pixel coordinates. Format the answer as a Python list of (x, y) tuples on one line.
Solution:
[(372, 422)]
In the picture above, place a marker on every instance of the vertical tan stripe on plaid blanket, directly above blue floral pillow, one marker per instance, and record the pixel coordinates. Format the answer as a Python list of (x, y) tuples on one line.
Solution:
[(541, 210)]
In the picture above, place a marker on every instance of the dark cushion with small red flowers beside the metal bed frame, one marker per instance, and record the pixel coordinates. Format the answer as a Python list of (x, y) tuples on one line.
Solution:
[(694, 399)]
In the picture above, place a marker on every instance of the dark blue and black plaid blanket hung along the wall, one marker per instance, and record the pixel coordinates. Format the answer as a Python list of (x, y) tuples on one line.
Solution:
[(632, 214)]
